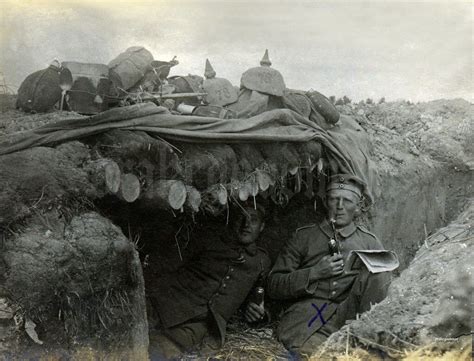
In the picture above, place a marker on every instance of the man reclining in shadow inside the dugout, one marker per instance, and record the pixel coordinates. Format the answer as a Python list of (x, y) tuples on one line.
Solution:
[(195, 302)]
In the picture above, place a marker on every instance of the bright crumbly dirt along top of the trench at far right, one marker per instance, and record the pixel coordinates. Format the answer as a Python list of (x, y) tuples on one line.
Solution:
[(441, 129)]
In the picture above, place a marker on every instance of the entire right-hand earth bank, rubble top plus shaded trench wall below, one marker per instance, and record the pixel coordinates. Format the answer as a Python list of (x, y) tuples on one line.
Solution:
[(423, 153)]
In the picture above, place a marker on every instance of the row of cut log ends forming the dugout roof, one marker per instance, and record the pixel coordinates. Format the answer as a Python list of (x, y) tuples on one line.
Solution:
[(194, 177)]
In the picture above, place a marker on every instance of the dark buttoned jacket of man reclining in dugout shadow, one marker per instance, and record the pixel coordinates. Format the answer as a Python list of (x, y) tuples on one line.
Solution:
[(217, 280)]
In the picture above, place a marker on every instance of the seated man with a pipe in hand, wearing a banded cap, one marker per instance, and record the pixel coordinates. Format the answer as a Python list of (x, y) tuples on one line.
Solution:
[(323, 294)]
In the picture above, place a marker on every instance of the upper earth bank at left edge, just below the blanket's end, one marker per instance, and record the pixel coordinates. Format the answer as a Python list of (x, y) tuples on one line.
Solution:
[(41, 178)]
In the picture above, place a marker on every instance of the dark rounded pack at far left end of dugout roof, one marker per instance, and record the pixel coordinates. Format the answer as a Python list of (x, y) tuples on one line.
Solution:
[(40, 90)]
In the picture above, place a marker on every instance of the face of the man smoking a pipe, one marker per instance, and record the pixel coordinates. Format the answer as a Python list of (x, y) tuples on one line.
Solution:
[(342, 205)]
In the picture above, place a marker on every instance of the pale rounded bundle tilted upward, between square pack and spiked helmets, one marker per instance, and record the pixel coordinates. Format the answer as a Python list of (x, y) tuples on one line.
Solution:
[(130, 67)]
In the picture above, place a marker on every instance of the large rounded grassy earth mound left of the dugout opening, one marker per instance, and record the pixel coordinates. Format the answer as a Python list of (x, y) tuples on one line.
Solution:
[(86, 270)]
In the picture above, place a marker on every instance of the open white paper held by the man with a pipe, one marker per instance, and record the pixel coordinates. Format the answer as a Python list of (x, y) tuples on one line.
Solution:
[(376, 261)]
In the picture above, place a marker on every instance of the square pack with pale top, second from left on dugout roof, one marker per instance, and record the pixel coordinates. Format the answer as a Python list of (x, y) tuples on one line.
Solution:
[(90, 88)]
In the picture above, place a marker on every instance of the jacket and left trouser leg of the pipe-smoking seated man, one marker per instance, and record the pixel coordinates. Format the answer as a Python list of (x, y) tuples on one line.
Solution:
[(291, 278)]
